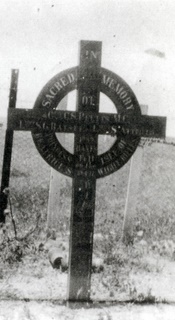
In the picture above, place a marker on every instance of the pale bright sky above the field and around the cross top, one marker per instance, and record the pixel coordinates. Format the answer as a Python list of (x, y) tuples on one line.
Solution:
[(41, 38)]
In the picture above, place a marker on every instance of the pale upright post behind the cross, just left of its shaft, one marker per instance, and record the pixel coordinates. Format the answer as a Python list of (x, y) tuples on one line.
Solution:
[(56, 182)]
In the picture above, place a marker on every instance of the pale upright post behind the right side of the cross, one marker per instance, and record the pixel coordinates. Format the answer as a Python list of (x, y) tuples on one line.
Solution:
[(132, 190)]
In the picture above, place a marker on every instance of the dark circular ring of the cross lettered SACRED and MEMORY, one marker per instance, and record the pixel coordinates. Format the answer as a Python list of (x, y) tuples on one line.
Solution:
[(126, 106)]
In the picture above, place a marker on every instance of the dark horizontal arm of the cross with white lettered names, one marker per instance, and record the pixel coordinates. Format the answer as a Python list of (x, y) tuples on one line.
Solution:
[(38, 120)]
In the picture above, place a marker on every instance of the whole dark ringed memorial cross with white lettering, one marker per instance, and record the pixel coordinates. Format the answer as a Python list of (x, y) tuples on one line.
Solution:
[(85, 165)]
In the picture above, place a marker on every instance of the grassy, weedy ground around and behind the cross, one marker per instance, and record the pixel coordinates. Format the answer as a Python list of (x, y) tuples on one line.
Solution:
[(142, 272)]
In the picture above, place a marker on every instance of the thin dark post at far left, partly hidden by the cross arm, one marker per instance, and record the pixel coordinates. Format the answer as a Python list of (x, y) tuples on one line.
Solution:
[(8, 148)]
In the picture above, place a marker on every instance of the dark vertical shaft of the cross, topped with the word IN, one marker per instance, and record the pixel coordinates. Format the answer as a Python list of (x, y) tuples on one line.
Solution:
[(84, 180)]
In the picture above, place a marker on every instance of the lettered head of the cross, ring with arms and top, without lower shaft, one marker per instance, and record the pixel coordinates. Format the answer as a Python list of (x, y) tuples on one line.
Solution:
[(89, 79)]
